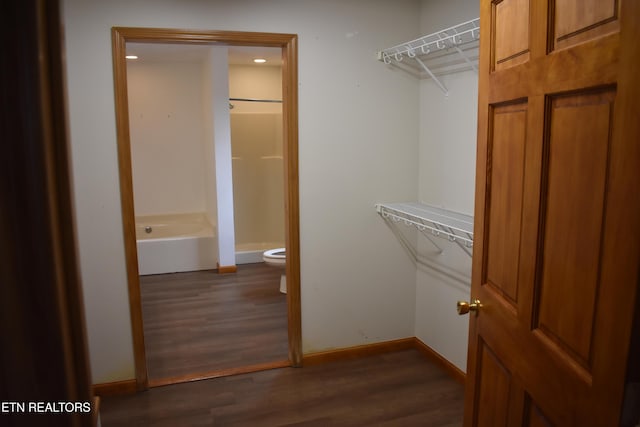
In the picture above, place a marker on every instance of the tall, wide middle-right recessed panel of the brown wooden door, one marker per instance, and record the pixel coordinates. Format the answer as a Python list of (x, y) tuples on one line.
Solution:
[(577, 154)]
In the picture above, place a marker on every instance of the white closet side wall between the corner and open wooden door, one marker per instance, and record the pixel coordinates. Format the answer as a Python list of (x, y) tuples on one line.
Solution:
[(447, 176)]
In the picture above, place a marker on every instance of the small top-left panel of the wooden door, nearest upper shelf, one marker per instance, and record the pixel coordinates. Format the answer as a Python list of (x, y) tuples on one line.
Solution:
[(511, 33)]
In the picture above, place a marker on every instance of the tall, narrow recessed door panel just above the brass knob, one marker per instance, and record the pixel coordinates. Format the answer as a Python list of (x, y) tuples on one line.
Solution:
[(506, 159)]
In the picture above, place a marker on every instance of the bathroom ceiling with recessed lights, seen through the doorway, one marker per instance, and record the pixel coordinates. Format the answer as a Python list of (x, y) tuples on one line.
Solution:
[(238, 55)]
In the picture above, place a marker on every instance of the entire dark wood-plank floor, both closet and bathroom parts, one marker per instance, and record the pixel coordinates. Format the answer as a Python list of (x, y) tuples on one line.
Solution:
[(201, 322)]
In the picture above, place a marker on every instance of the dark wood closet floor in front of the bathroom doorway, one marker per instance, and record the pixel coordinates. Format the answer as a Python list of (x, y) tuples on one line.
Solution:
[(393, 389)]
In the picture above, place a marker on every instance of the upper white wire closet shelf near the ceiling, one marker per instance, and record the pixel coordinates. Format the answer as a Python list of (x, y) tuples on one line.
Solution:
[(447, 51)]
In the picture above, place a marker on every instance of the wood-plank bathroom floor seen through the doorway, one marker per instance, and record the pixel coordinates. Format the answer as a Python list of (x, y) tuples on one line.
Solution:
[(201, 322)]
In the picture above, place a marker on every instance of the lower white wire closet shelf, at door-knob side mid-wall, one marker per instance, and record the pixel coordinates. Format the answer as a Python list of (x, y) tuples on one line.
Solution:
[(431, 221)]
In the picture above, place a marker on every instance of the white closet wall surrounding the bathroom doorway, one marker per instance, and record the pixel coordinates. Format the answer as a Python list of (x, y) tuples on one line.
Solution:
[(358, 145)]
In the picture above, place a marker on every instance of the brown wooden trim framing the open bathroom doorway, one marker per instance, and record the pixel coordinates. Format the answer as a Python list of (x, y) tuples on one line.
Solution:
[(289, 45)]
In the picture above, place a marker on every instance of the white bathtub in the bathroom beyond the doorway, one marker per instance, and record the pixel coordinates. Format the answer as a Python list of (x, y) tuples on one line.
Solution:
[(173, 243)]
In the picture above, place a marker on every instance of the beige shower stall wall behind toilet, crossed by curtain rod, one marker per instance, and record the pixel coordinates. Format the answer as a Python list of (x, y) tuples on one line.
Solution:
[(256, 140)]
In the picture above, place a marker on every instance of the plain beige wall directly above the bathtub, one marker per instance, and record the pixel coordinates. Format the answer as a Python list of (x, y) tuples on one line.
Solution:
[(166, 126)]
